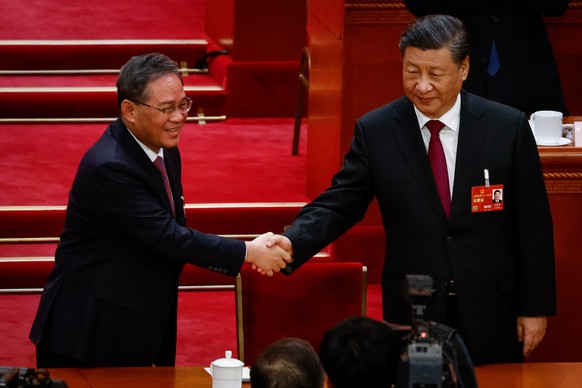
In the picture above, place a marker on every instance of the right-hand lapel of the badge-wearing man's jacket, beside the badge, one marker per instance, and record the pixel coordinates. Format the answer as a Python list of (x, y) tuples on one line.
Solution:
[(472, 132)]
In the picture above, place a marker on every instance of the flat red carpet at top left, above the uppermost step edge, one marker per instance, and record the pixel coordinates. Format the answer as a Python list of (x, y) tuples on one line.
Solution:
[(106, 19)]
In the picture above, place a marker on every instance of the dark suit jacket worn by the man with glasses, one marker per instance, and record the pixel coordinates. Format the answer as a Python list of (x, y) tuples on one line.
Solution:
[(112, 296)]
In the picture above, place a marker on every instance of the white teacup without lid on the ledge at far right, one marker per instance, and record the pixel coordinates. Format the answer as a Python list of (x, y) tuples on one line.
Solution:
[(547, 127)]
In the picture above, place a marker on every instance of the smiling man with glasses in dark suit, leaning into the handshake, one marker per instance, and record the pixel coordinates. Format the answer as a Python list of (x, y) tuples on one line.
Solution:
[(111, 299)]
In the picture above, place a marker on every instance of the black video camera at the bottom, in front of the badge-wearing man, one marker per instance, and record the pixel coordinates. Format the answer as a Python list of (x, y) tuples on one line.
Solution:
[(435, 355)]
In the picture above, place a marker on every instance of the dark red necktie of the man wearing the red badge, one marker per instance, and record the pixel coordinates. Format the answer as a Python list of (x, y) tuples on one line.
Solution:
[(436, 156)]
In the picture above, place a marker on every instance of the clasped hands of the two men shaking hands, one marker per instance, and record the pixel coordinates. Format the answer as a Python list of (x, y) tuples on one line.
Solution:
[(269, 253)]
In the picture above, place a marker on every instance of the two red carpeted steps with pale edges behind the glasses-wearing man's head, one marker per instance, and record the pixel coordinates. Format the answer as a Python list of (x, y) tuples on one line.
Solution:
[(59, 80)]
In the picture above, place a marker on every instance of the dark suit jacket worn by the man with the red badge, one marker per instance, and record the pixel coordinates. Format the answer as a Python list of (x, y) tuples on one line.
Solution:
[(498, 278)]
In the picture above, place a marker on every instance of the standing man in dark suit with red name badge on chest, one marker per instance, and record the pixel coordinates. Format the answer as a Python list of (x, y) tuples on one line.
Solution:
[(495, 291)]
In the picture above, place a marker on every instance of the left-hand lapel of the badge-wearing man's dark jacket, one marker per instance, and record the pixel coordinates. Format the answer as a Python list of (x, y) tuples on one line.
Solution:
[(409, 139)]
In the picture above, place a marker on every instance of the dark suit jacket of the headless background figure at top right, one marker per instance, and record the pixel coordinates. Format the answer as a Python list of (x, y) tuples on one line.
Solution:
[(528, 79)]
